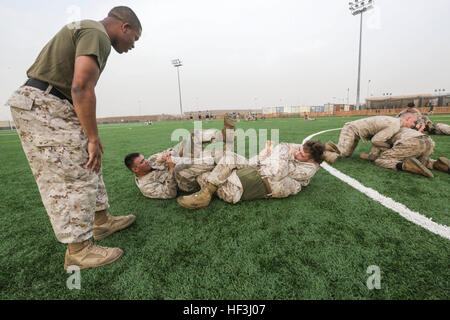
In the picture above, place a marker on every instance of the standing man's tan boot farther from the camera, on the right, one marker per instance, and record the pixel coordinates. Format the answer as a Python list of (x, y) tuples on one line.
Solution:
[(105, 224)]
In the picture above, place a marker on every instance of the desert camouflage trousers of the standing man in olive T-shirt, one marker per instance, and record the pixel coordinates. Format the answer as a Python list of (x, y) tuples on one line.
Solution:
[(56, 148)]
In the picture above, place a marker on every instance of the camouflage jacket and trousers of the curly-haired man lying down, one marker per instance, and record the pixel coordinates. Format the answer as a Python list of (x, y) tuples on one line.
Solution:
[(285, 175)]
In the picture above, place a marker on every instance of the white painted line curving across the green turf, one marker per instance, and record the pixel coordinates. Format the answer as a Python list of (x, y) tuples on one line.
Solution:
[(412, 216)]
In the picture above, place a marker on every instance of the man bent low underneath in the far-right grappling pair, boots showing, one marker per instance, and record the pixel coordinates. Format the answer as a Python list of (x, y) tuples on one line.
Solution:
[(410, 152)]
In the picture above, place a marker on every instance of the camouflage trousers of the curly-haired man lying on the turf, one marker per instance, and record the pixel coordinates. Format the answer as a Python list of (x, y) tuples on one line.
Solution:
[(225, 178)]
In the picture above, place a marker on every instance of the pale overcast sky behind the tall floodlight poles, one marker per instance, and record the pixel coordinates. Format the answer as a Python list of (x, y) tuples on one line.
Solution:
[(243, 53)]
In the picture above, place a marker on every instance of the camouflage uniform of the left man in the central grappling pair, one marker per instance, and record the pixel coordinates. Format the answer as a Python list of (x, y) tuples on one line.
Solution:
[(161, 184)]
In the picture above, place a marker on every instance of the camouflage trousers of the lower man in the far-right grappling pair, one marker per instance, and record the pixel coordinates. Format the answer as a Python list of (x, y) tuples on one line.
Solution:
[(418, 147)]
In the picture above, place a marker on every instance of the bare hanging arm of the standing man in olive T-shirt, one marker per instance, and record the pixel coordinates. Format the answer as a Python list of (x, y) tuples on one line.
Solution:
[(86, 74)]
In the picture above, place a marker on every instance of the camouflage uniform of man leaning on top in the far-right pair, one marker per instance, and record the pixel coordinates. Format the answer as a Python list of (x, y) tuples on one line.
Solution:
[(378, 130)]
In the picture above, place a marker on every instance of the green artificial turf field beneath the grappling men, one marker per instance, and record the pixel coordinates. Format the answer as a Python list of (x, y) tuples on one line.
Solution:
[(315, 245)]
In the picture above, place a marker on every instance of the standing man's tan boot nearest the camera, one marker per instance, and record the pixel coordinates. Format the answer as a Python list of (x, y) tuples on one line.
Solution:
[(88, 255)]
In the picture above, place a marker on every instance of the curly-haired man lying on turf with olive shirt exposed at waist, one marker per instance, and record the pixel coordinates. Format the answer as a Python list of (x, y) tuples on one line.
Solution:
[(277, 172)]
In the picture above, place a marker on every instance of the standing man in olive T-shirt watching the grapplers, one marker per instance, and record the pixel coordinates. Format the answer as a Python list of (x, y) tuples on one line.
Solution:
[(60, 135)]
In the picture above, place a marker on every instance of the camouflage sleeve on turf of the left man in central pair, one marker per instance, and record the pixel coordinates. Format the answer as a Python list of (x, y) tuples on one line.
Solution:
[(163, 186)]
